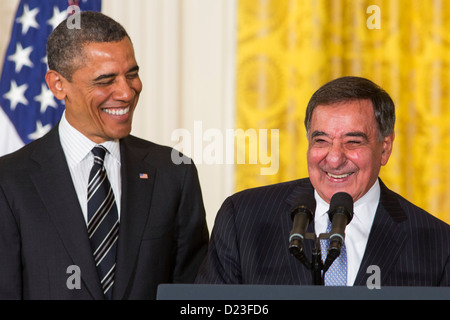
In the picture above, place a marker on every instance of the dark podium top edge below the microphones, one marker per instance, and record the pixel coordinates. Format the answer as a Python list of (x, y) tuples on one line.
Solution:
[(280, 292)]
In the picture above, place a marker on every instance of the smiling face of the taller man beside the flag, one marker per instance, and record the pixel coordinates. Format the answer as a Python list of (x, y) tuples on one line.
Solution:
[(104, 91)]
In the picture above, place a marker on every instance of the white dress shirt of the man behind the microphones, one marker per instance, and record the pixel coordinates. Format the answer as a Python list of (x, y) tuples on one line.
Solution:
[(356, 232)]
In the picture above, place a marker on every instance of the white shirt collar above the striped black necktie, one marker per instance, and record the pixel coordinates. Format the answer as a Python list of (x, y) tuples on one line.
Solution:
[(77, 146)]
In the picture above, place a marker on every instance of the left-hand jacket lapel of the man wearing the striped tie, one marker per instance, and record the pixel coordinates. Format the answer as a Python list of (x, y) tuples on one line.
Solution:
[(55, 187)]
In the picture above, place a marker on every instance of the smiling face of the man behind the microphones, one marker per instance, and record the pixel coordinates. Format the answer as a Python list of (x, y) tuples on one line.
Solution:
[(345, 153)]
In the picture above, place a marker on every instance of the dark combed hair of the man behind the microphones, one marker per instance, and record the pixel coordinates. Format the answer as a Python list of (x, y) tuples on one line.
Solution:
[(355, 88)]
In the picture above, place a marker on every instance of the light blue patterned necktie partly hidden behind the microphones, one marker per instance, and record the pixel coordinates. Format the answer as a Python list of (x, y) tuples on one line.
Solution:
[(337, 273)]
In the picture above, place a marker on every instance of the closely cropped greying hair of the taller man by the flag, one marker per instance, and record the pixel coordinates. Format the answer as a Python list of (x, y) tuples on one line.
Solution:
[(65, 45)]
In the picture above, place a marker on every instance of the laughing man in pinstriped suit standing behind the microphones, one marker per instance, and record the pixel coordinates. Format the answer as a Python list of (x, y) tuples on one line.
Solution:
[(350, 127)]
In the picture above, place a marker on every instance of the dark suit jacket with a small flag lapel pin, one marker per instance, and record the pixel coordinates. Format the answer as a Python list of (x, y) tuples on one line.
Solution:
[(162, 237)]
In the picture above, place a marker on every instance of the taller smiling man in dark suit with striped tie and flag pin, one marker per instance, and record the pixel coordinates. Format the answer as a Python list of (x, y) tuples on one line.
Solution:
[(137, 221)]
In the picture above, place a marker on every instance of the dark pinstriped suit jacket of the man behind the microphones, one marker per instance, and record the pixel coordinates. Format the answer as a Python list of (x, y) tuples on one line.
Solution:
[(250, 239)]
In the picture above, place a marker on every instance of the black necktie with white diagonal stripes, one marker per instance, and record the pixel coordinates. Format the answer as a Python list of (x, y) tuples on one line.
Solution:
[(103, 221)]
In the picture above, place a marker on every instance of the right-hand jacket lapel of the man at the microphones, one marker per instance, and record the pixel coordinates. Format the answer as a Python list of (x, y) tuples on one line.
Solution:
[(386, 239)]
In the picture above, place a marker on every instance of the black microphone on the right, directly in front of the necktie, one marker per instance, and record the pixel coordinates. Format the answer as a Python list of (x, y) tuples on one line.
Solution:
[(340, 214)]
